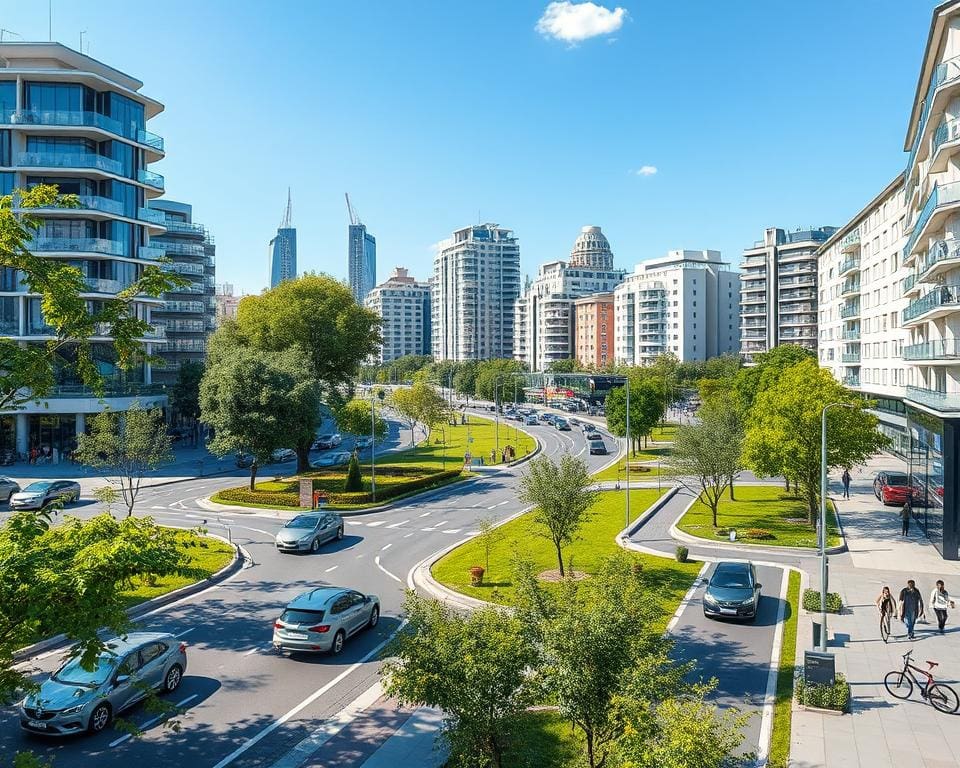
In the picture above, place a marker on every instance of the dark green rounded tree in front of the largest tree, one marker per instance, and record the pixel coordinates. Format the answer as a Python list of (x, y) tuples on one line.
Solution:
[(256, 402)]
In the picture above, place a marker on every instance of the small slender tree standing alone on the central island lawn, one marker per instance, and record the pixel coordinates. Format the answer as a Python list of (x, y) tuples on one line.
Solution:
[(562, 495)]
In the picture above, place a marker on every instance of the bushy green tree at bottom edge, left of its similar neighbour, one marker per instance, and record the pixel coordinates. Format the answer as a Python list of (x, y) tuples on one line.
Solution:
[(476, 668)]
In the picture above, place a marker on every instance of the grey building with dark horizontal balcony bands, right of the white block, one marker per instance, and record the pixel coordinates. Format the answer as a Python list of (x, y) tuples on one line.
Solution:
[(778, 290)]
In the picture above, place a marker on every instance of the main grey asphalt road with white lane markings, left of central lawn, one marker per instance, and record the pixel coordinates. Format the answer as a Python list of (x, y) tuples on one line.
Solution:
[(244, 705)]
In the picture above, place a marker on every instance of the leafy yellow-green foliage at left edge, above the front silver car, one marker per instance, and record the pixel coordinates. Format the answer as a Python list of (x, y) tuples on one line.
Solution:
[(70, 579)]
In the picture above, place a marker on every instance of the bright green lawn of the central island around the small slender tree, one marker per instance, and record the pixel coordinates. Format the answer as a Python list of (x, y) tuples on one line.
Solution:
[(596, 542)]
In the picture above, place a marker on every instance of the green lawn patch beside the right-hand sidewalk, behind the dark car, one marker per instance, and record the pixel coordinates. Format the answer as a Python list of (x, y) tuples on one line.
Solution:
[(763, 507)]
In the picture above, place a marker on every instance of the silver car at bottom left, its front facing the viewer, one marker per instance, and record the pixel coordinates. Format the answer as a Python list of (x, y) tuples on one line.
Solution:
[(74, 699)]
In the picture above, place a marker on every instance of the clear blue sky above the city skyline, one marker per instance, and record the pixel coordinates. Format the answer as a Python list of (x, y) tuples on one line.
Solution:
[(432, 114)]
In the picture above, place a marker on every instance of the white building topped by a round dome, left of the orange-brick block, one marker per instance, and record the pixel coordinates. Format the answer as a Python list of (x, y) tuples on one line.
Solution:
[(544, 315)]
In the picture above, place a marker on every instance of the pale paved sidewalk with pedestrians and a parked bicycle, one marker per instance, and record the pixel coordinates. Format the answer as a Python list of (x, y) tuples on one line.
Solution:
[(880, 732)]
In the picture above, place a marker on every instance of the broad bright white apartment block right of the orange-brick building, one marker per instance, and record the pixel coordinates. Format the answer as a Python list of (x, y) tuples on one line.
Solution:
[(686, 303)]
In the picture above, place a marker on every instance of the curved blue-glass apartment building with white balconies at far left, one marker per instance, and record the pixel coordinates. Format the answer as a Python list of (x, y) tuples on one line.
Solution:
[(70, 120)]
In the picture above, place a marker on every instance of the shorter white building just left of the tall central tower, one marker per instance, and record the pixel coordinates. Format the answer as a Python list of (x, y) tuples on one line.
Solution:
[(403, 305)]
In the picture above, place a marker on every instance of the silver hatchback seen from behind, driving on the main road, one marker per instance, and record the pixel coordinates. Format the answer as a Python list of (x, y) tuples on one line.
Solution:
[(323, 618)]
